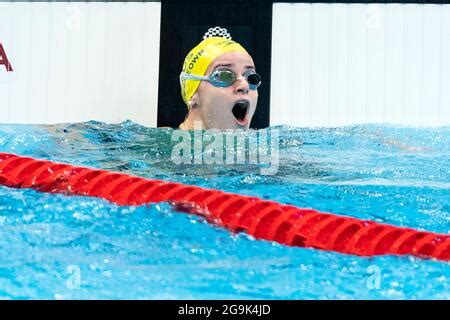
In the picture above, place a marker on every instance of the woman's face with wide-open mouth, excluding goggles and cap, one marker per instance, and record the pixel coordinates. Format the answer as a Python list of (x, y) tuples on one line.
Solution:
[(230, 107)]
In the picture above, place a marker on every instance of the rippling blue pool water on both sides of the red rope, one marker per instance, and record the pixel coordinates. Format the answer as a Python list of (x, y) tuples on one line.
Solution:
[(61, 247)]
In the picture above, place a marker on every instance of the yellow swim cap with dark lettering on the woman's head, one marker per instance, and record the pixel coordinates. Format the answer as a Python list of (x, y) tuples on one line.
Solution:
[(199, 58)]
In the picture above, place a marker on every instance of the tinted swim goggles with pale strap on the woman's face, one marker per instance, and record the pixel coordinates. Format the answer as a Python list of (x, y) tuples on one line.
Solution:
[(223, 78)]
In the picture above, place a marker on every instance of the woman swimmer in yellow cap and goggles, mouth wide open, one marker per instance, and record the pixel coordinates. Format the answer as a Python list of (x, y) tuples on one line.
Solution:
[(219, 84)]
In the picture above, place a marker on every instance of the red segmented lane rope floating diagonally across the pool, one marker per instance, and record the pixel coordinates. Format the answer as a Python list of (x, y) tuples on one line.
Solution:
[(262, 219)]
